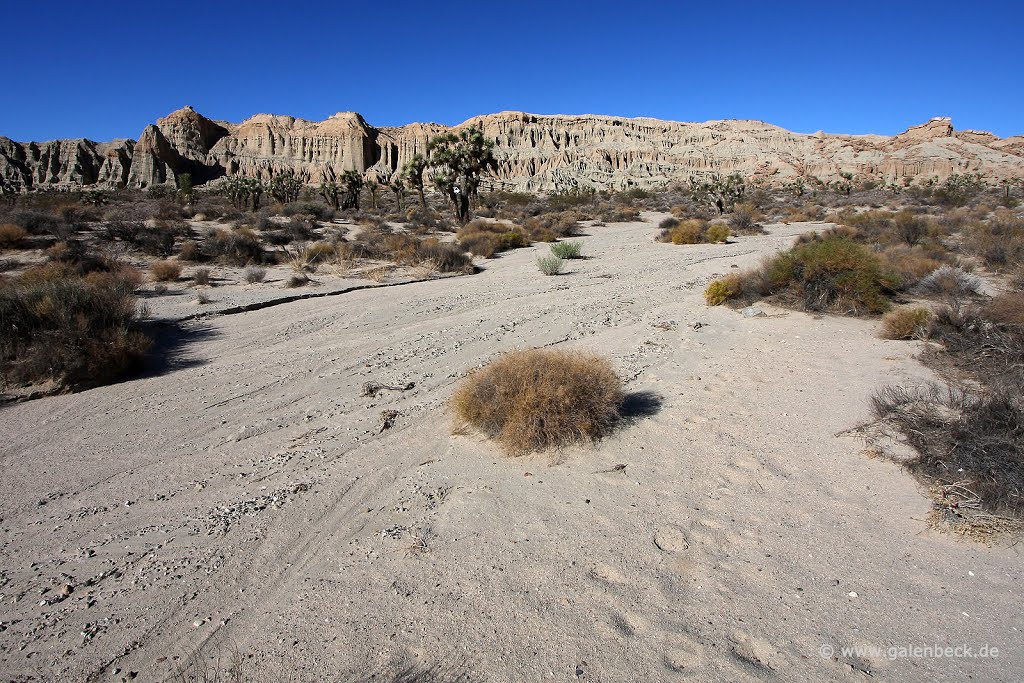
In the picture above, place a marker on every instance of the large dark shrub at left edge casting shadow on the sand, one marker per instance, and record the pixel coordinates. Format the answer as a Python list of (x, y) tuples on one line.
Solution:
[(77, 329)]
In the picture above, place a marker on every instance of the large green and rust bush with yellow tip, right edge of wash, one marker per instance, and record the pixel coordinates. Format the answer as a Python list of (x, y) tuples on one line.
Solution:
[(828, 273)]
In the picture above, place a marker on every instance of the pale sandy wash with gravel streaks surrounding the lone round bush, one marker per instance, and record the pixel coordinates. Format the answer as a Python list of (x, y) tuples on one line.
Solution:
[(248, 497)]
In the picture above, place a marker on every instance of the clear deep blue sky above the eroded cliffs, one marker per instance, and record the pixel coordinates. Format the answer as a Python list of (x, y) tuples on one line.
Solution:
[(105, 70)]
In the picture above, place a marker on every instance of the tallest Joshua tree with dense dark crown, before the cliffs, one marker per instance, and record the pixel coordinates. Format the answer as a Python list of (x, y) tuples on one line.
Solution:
[(459, 161)]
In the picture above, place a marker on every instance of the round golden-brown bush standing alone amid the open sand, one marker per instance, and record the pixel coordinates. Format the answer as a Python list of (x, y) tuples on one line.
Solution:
[(538, 400)]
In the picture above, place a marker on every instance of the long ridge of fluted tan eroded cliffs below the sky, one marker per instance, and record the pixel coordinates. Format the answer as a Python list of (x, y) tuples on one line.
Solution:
[(535, 153)]
